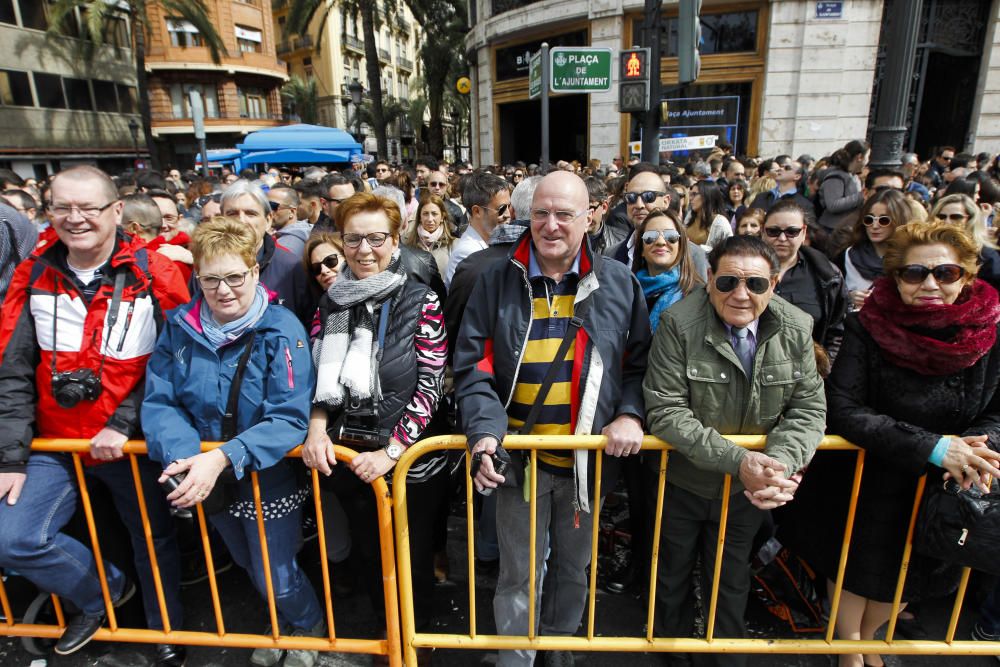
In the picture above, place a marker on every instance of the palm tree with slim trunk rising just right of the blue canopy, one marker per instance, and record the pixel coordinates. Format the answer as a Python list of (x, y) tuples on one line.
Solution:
[(300, 16)]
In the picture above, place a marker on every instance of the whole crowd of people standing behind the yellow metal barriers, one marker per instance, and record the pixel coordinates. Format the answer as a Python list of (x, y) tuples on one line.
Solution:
[(374, 308)]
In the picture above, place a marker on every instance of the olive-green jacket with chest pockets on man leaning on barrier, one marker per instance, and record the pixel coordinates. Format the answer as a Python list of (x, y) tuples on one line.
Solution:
[(696, 389)]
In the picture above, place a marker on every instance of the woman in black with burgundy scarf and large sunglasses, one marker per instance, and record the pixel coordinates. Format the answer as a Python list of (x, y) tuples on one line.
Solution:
[(920, 361)]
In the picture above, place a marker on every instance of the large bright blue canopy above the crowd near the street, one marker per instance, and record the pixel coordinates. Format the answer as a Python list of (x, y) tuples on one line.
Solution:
[(299, 144)]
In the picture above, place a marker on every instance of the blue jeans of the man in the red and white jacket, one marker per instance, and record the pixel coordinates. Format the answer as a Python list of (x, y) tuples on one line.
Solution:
[(31, 542)]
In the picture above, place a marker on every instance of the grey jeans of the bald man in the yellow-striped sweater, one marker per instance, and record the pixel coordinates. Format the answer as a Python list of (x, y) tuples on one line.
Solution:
[(568, 547)]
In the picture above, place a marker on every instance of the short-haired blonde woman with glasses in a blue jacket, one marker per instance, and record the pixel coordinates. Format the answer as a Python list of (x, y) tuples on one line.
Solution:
[(233, 335)]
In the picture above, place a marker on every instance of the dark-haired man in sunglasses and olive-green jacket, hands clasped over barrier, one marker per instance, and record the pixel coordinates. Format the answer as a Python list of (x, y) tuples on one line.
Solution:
[(730, 359)]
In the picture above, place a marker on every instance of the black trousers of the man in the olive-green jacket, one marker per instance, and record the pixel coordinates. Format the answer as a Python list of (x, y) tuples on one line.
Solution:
[(690, 528)]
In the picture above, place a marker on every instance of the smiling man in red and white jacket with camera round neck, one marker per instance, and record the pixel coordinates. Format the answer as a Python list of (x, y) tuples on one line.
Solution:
[(78, 325)]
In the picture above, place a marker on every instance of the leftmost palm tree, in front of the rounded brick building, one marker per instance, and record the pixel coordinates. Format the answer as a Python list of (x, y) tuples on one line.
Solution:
[(99, 12)]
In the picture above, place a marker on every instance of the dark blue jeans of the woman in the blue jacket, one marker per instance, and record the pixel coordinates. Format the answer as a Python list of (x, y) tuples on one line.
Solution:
[(294, 596)]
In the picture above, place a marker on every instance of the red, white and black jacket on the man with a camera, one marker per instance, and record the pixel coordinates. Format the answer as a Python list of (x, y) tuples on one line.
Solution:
[(43, 289)]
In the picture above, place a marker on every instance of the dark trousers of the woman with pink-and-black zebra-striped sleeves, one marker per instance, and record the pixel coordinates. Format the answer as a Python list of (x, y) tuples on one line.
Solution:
[(423, 503)]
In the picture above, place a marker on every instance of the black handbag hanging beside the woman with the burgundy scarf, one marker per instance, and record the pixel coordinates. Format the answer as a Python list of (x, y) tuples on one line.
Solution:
[(960, 526)]
